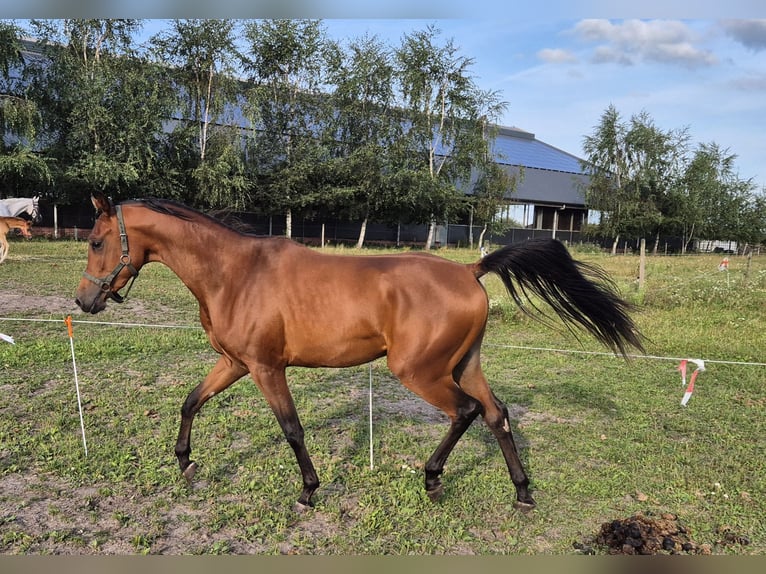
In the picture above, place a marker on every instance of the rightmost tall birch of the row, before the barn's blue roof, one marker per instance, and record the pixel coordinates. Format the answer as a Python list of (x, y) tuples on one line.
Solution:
[(443, 110)]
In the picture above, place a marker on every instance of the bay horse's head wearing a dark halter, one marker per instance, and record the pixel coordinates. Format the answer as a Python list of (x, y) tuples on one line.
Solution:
[(110, 266)]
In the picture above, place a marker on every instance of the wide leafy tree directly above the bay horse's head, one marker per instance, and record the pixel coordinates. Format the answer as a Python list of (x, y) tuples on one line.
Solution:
[(102, 107)]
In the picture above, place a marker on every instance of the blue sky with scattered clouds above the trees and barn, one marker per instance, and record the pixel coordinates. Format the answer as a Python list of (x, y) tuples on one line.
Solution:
[(559, 75)]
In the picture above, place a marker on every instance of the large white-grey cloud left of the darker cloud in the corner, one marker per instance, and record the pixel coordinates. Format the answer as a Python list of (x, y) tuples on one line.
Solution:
[(635, 41)]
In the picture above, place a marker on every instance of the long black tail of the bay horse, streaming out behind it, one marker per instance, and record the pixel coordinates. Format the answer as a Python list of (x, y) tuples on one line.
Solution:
[(580, 293)]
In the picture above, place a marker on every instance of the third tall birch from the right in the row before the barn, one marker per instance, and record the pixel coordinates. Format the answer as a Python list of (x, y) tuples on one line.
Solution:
[(287, 62)]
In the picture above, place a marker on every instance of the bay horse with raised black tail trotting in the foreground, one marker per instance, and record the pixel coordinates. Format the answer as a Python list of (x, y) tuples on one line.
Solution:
[(269, 303)]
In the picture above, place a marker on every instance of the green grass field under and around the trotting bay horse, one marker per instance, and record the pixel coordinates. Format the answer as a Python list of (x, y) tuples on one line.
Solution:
[(601, 438)]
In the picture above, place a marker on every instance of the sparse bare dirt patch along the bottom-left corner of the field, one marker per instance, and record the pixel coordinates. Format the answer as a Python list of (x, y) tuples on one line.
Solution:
[(39, 515)]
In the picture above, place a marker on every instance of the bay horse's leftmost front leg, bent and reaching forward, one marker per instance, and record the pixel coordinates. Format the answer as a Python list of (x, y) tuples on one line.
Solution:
[(224, 373)]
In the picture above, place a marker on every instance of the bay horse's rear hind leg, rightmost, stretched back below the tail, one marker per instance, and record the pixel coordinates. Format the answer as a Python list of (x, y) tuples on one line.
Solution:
[(471, 379)]
